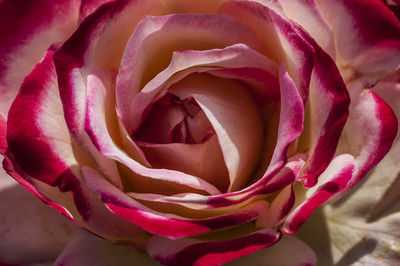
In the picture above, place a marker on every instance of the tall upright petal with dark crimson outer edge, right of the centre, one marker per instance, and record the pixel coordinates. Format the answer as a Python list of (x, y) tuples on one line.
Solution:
[(328, 110)]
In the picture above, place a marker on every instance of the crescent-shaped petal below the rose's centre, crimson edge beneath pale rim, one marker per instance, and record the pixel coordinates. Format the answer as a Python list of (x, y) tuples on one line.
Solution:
[(169, 225)]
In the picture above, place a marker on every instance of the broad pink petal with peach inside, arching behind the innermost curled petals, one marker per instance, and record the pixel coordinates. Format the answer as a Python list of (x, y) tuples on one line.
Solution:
[(143, 59)]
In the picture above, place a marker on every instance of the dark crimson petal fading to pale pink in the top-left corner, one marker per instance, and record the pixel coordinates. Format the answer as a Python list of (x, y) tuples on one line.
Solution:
[(25, 40)]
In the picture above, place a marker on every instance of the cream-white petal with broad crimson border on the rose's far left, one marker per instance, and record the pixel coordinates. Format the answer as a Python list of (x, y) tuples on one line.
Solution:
[(39, 139)]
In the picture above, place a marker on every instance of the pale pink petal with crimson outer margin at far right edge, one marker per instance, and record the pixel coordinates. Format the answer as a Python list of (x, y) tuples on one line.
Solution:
[(376, 126)]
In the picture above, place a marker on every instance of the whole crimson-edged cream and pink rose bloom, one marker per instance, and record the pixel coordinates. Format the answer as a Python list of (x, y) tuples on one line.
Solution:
[(195, 131)]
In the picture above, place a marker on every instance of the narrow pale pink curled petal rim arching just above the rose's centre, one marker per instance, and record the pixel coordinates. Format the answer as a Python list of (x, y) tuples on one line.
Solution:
[(184, 63)]
